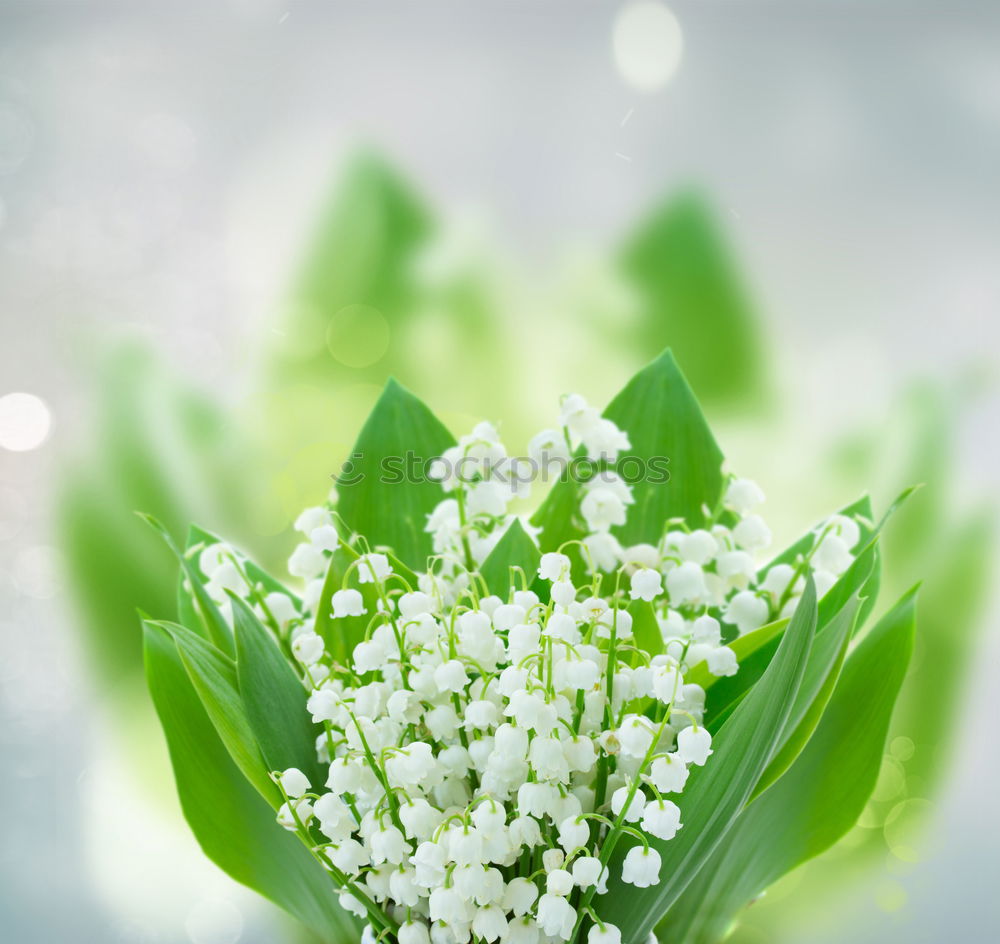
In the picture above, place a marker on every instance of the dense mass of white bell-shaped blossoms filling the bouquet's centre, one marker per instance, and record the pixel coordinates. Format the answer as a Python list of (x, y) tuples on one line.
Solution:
[(487, 754)]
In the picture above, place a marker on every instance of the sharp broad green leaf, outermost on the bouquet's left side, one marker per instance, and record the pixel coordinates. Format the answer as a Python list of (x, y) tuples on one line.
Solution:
[(233, 824)]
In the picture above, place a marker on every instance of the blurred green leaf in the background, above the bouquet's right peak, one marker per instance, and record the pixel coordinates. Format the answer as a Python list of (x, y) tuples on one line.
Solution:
[(691, 298)]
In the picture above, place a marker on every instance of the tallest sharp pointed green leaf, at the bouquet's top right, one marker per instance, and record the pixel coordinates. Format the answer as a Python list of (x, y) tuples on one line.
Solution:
[(665, 426)]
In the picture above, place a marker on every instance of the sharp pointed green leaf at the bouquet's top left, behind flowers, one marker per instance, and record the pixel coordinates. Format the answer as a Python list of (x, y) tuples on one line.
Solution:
[(399, 437)]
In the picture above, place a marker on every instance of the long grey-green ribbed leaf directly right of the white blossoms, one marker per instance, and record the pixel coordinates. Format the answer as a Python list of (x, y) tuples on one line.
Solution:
[(717, 792)]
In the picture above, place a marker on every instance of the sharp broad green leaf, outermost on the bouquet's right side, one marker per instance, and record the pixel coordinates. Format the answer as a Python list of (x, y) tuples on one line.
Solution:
[(818, 799)]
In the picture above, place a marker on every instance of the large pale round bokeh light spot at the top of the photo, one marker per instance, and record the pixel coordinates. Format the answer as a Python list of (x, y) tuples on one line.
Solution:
[(648, 44)]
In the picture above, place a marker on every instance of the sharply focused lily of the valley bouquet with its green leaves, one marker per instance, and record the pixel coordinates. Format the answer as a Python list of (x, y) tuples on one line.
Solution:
[(618, 717)]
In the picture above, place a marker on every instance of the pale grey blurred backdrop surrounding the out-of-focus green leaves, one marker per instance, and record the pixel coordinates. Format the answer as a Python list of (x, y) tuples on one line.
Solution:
[(157, 163)]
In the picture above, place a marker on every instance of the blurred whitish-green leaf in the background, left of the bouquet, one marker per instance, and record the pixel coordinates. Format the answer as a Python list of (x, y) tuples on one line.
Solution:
[(158, 448)]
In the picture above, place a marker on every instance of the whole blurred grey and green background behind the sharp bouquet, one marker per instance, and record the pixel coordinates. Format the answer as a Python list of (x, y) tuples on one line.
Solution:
[(223, 225)]
